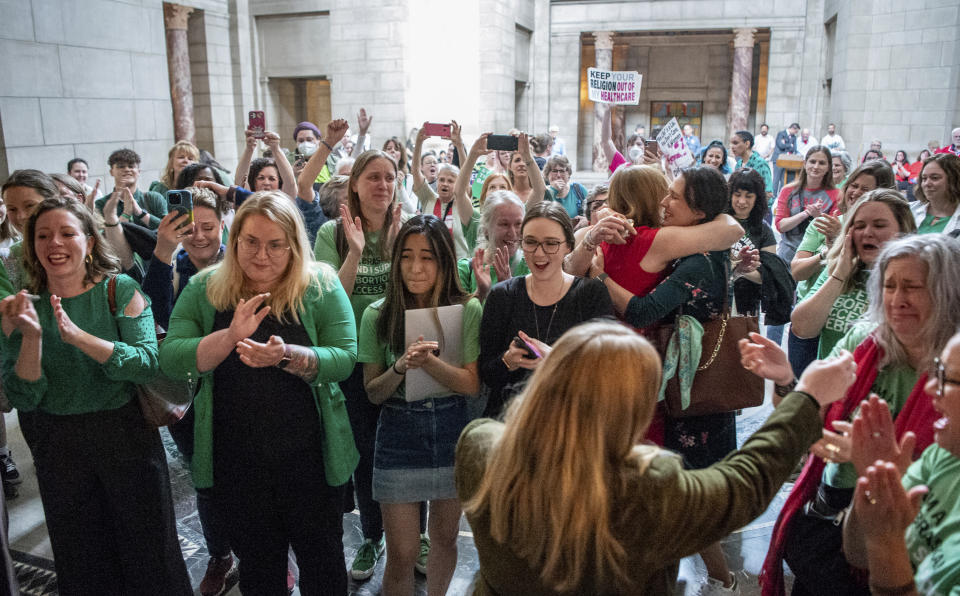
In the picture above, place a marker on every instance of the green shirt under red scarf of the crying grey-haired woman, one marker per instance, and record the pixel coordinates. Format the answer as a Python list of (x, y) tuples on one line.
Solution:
[(894, 384)]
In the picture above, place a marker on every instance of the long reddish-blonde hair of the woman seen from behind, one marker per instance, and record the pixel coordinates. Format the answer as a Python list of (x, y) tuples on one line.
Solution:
[(552, 482)]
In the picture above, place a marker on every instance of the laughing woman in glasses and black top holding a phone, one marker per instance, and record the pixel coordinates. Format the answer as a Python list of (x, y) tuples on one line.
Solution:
[(538, 308)]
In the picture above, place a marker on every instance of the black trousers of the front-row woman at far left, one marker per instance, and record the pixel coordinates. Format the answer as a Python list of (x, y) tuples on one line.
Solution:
[(106, 497)]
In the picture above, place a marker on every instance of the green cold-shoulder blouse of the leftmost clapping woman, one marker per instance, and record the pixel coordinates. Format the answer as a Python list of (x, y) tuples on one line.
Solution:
[(71, 382)]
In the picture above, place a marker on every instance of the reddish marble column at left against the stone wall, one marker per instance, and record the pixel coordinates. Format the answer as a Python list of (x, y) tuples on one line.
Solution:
[(178, 64)]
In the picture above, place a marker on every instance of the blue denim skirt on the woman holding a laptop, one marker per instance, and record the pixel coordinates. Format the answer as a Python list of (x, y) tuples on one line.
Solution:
[(414, 452)]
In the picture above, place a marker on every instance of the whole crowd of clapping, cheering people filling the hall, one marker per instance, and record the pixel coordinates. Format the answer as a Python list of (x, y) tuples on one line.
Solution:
[(287, 295)]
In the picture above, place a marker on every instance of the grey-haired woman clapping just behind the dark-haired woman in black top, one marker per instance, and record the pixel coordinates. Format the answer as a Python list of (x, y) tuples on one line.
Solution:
[(500, 259)]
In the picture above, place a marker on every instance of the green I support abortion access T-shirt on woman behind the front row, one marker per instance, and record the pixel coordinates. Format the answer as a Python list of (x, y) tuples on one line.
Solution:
[(372, 273)]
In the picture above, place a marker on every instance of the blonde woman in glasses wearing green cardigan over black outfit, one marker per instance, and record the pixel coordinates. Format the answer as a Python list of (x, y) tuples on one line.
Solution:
[(270, 333)]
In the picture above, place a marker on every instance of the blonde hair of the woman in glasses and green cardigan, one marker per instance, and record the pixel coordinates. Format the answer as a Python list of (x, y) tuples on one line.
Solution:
[(227, 284)]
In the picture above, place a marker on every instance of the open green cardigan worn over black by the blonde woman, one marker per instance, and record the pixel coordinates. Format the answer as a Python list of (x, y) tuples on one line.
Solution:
[(328, 319)]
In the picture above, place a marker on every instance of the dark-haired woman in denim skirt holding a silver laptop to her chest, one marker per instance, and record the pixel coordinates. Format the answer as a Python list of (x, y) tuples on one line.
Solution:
[(413, 460)]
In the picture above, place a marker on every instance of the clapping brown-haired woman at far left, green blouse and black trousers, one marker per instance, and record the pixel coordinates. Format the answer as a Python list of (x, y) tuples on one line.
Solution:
[(69, 367)]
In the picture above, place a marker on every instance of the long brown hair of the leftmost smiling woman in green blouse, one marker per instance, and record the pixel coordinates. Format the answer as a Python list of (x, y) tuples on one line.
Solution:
[(103, 262)]
